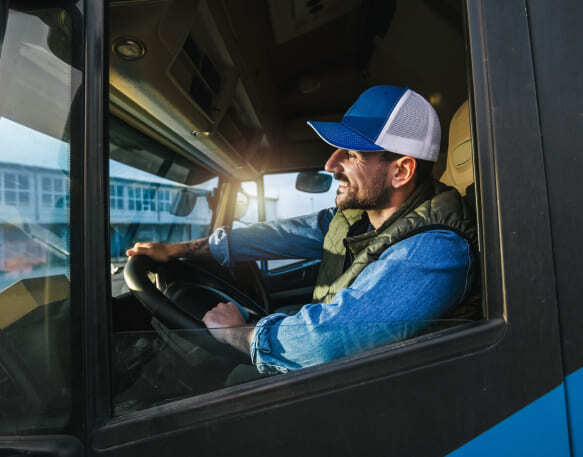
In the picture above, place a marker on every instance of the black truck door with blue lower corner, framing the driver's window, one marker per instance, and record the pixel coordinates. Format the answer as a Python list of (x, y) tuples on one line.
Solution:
[(493, 387)]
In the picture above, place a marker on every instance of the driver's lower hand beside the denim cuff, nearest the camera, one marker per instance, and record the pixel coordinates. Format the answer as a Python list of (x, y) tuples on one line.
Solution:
[(227, 325)]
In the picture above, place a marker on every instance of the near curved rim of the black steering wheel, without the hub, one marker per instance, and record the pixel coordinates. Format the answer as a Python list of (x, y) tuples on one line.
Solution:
[(165, 310)]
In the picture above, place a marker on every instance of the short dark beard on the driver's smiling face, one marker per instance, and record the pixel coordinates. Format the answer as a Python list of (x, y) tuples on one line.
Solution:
[(375, 196)]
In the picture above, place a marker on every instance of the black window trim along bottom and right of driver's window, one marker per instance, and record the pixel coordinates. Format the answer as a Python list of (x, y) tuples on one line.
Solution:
[(385, 360)]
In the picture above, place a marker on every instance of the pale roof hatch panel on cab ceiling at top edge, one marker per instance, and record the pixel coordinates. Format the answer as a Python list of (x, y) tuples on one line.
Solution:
[(293, 18)]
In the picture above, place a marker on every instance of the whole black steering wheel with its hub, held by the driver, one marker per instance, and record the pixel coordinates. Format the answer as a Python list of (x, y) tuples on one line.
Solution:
[(183, 304)]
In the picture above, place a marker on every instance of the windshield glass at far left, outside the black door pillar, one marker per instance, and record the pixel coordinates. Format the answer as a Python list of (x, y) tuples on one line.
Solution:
[(37, 88)]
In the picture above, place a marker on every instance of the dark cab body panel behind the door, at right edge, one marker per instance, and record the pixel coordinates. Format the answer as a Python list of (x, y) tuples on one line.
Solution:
[(560, 94)]
